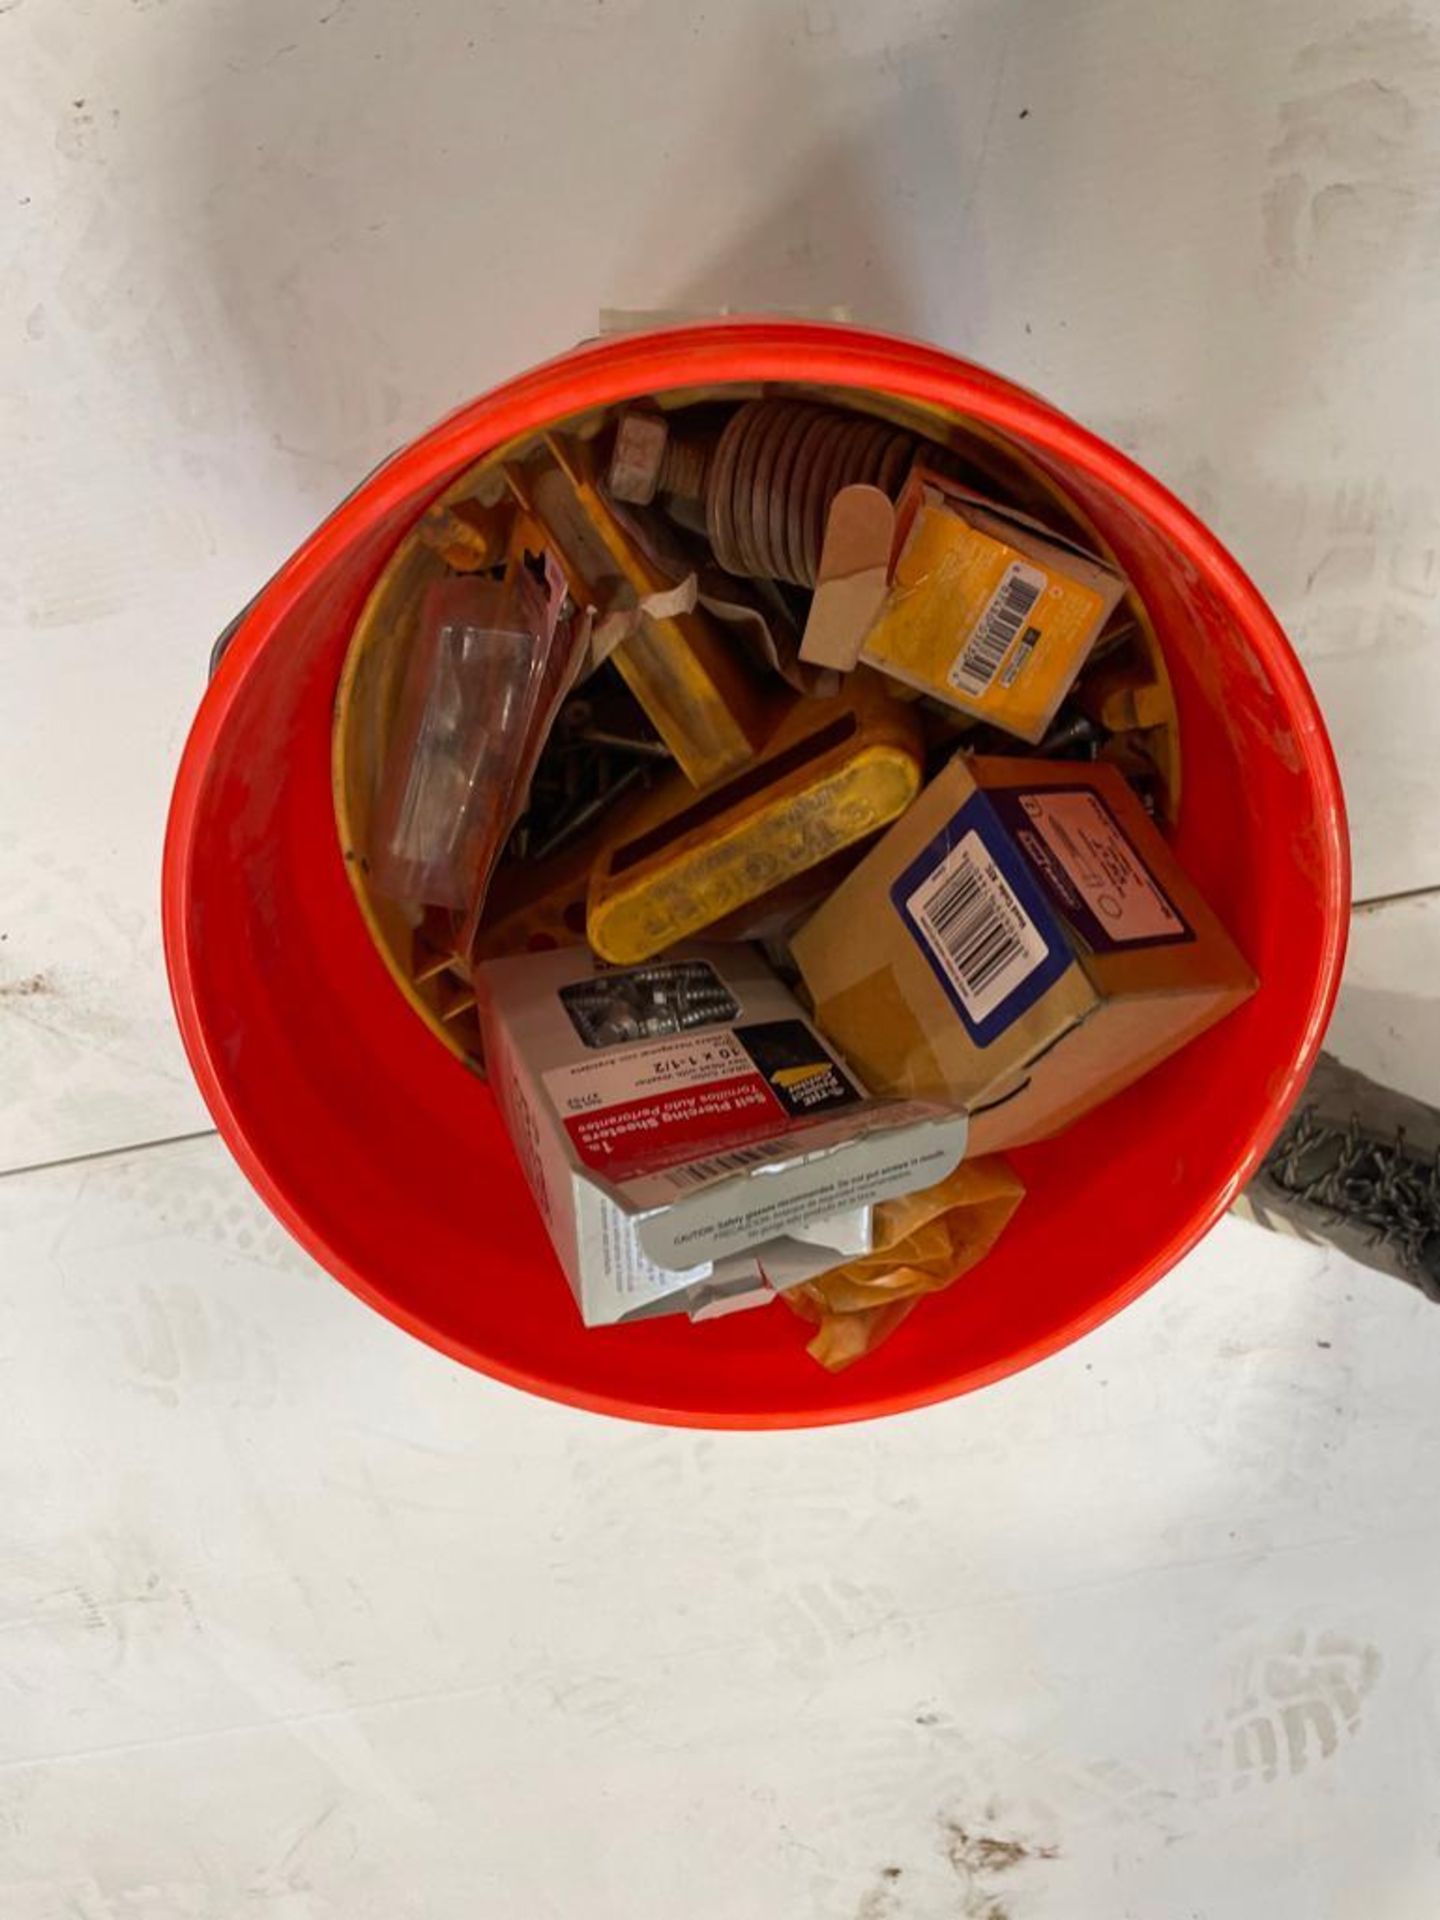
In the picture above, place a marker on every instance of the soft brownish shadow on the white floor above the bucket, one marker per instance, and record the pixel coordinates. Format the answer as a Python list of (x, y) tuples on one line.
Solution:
[(400, 210)]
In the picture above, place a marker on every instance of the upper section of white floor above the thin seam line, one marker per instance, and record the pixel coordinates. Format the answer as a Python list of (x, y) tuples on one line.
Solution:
[(254, 245)]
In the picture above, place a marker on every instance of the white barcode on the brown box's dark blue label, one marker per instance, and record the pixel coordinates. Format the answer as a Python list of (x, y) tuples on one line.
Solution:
[(976, 928)]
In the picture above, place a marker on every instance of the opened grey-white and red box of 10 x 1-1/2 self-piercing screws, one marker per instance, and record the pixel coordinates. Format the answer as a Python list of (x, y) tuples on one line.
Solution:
[(683, 1122)]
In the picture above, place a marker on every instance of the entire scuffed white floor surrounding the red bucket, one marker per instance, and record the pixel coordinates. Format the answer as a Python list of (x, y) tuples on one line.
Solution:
[(299, 1620)]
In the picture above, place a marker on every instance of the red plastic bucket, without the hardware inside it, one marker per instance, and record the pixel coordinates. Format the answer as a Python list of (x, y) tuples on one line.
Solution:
[(387, 1159)]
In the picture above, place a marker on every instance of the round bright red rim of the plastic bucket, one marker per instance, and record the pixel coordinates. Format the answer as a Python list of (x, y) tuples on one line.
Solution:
[(715, 354)]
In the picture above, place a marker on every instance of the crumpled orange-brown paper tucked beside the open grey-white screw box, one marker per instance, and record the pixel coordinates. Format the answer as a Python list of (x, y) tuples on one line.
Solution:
[(923, 1243)]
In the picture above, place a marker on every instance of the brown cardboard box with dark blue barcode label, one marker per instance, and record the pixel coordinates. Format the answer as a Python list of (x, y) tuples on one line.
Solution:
[(1022, 942)]
